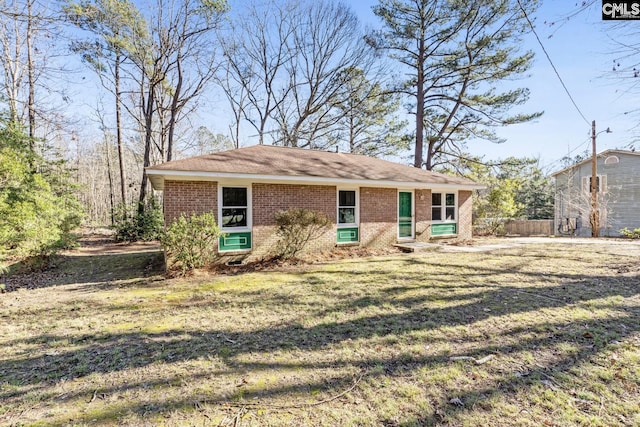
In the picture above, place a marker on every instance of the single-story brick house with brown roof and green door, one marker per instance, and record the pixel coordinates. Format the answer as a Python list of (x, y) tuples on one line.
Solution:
[(371, 202)]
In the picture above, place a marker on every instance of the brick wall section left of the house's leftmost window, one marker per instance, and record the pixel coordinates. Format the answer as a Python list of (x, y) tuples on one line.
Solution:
[(189, 197)]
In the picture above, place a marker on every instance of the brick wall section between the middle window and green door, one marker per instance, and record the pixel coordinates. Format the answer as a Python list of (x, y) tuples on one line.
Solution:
[(378, 216)]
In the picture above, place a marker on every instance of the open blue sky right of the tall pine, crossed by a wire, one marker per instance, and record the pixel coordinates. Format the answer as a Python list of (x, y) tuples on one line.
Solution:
[(580, 50)]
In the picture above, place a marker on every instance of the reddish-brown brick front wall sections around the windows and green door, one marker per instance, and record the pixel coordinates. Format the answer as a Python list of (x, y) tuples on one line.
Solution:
[(378, 211)]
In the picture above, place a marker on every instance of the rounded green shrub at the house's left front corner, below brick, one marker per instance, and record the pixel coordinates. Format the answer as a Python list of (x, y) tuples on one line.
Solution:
[(190, 241)]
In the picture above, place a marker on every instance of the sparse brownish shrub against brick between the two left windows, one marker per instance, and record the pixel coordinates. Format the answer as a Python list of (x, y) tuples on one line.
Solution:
[(296, 228)]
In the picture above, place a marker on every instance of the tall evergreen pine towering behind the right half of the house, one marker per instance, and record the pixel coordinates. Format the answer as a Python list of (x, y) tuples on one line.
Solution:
[(455, 53)]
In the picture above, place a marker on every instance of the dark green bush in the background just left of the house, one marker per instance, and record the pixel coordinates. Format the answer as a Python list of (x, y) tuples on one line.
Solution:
[(145, 226)]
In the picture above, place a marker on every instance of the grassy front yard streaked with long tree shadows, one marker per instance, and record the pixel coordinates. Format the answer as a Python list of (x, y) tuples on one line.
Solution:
[(542, 334)]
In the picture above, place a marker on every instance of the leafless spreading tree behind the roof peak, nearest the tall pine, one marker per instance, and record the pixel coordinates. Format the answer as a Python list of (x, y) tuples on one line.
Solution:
[(327, 41)]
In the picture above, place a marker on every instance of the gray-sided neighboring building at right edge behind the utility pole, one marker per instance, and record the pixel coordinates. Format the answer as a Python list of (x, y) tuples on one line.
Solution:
[(618, 182)]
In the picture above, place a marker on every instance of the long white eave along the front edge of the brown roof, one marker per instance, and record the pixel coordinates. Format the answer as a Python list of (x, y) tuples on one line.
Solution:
[(157, 178)]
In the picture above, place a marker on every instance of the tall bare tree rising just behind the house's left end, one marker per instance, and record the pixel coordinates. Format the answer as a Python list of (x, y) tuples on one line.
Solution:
[(176, 64)]
